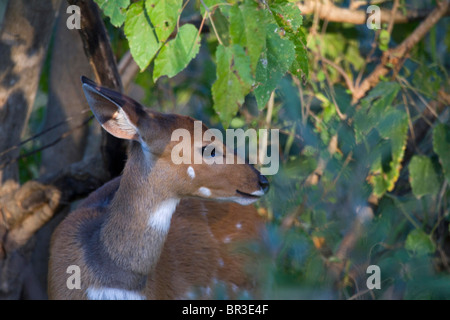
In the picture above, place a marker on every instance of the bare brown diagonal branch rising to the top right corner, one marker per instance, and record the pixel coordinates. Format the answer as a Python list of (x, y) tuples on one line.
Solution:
[(397, 55)]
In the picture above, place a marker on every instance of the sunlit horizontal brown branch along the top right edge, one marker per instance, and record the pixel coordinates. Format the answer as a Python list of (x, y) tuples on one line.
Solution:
[(326, 10)]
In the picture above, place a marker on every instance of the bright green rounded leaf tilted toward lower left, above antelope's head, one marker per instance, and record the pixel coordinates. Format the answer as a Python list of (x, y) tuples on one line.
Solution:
[(177, 53)]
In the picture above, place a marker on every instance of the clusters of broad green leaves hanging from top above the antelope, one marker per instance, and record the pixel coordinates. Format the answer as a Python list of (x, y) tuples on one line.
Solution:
[(269, 34)]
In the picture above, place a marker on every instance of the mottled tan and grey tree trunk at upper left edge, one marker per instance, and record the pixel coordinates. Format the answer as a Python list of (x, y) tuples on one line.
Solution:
[(24, 38)]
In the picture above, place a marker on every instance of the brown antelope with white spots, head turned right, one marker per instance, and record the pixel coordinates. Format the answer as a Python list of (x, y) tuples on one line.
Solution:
[(110, 239)]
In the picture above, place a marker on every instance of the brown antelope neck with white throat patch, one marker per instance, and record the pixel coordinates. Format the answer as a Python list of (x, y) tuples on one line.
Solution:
[(138, 222)]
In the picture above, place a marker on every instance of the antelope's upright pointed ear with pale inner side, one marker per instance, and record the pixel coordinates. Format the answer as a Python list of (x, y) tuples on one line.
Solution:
[(117, 113)]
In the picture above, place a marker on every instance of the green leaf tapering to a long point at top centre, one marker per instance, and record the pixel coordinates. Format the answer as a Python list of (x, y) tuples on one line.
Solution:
[(248, 29)]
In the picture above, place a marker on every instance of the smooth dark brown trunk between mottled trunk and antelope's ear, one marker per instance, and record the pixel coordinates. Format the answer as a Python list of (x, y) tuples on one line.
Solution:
[(65, 99)]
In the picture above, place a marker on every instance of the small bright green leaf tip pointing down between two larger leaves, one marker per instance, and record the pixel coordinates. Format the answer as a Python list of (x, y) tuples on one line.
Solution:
[(163, 15)]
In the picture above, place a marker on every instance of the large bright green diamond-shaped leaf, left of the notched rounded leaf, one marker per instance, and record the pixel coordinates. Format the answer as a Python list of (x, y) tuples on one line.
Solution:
[(140, 35)]
